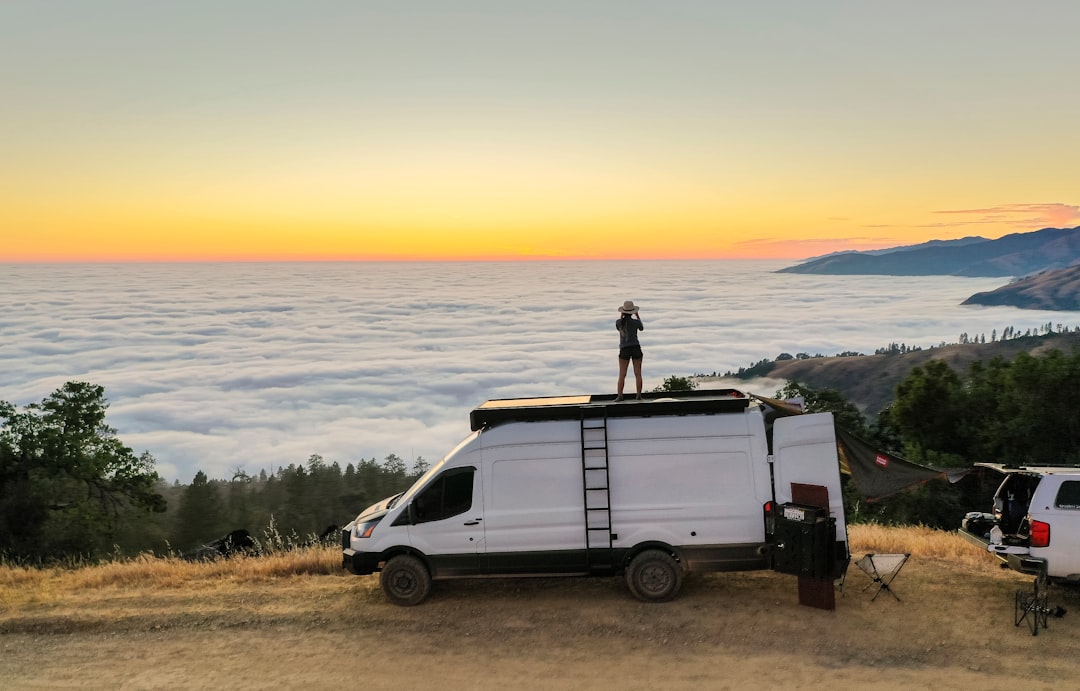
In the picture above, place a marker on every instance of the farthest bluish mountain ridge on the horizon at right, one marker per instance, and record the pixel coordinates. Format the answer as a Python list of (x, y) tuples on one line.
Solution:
[(1014, 255)]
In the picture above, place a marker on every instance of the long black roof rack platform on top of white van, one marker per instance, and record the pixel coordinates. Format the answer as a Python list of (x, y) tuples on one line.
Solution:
[(576, 408)]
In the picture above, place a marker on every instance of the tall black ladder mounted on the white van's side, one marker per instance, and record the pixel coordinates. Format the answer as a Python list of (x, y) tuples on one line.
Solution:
[(598, 491)]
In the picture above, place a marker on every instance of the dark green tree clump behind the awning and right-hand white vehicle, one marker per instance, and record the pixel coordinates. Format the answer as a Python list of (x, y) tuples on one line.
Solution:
[(1022, 412)]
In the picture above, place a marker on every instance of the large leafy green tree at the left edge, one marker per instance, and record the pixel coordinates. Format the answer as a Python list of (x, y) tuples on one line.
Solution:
[(67, 483)]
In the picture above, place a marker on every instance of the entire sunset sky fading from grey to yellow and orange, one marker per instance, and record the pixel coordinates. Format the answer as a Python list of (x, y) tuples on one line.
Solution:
[(466, 130)]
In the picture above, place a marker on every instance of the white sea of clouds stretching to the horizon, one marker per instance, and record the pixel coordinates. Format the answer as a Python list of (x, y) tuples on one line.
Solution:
[(254, 367)]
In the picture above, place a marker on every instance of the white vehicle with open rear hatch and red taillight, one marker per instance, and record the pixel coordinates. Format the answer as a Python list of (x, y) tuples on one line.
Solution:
[(1036, 522)]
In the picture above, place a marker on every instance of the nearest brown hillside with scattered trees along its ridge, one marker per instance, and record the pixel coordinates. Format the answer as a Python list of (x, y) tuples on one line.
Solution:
[(870, 382)]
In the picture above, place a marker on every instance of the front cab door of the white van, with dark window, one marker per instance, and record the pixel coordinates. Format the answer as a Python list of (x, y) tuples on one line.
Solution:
[(447, 522)]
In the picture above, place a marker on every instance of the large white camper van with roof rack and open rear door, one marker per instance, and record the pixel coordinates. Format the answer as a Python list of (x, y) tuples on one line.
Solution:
[(652, 490)]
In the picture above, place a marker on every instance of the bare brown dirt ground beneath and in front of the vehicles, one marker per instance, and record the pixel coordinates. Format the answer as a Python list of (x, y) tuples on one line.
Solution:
[(953, 630)]
